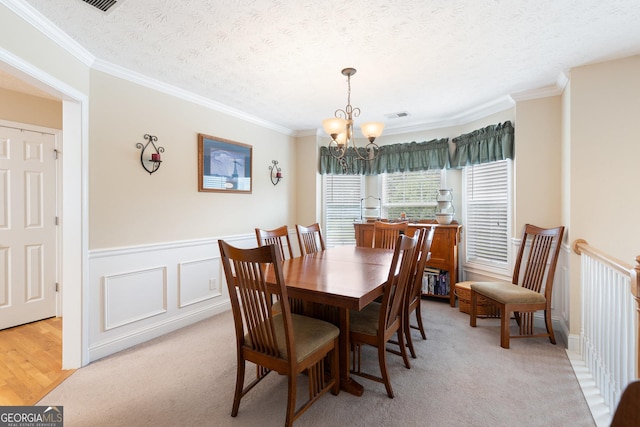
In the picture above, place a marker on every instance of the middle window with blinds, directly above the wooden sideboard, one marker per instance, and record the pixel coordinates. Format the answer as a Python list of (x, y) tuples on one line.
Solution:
[(413, 193)]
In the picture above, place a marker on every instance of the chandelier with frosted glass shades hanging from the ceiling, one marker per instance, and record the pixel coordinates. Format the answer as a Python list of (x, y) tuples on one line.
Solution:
[(340, 128)]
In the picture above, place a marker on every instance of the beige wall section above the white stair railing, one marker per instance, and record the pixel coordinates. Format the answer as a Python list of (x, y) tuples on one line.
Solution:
[(605, 148)]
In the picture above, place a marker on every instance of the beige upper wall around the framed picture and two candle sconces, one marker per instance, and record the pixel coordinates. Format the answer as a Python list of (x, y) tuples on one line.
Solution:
[(128, 206)]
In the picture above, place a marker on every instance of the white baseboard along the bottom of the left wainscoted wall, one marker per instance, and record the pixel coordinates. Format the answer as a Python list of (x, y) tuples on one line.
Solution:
[(139, 336)]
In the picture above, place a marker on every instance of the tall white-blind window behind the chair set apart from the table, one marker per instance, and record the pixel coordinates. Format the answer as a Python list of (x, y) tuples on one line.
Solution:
[(487, 213)]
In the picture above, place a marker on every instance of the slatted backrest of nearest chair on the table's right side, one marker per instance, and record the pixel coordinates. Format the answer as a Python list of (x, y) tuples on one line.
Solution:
[(400, 274)]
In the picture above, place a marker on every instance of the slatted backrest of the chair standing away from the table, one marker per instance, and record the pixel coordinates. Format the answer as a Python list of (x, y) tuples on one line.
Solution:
[(542, 247)]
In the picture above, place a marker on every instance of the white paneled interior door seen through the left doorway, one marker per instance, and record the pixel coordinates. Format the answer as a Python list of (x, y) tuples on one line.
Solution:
[(27, 226)]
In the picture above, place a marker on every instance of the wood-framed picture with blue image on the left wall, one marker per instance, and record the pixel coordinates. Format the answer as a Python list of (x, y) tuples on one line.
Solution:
[(224, 166)]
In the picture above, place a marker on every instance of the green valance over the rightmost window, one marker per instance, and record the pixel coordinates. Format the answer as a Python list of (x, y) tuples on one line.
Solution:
[(485, 145)]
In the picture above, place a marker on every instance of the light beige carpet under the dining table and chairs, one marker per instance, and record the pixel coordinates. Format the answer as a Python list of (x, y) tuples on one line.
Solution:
[(462, 377)]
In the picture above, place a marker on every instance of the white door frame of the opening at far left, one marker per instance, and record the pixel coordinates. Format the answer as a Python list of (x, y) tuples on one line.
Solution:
[(73, 209)]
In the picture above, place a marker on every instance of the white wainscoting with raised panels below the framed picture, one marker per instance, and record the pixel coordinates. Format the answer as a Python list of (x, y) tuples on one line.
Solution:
[(139, 293)]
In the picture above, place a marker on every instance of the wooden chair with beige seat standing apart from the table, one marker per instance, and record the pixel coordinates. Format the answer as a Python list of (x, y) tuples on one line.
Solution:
[(524, 295)]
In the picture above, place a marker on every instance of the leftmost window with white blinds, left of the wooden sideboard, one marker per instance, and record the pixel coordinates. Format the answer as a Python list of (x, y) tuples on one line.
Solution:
[(342, 194)]
